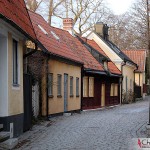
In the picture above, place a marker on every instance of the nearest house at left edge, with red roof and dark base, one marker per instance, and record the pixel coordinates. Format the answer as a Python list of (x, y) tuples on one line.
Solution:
[(13, 34)]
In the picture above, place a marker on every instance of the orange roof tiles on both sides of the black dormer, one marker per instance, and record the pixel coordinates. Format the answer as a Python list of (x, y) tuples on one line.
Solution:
[(111, 66)]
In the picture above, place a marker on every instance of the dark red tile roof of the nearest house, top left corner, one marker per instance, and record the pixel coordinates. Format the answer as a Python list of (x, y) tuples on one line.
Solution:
[(15, 11)]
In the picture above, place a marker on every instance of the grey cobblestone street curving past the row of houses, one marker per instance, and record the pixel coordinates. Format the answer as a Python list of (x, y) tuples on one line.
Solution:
[(107, 129)]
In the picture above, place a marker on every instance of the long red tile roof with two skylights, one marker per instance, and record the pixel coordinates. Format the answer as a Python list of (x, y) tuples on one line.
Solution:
[(67, 45)]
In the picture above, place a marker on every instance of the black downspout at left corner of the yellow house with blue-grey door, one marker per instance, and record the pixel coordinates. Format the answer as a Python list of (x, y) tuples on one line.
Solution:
[(47, 104)]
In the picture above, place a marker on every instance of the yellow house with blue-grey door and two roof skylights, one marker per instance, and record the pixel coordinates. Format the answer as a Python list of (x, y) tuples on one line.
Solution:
[(61, 79)]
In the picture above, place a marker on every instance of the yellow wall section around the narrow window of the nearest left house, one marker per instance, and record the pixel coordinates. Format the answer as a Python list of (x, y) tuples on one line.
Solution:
[(15, 94)]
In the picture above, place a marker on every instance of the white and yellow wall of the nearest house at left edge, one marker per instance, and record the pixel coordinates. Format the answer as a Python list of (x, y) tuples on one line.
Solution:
[(11, 100)]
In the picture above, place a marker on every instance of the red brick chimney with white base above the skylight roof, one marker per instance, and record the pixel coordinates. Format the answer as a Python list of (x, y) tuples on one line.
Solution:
[(68, 25)]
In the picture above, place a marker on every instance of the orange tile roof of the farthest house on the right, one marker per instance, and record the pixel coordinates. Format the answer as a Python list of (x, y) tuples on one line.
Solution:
[(138, 56)]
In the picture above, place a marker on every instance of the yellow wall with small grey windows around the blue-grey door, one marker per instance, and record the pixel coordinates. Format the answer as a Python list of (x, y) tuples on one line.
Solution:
[(56, 104)]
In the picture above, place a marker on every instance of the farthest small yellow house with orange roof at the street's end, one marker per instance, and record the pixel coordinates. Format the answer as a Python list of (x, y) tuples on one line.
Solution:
[(139, 57)]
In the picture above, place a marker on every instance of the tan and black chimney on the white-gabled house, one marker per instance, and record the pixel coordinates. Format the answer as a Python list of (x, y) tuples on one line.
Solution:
[(102, 30)]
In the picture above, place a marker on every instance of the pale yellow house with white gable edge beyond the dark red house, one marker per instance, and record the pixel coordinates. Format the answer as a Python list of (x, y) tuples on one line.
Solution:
[(123, 62)]
